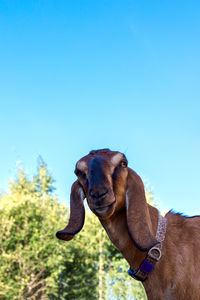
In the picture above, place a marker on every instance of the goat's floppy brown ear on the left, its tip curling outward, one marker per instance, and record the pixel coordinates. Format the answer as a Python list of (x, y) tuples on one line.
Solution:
[(77, 213)]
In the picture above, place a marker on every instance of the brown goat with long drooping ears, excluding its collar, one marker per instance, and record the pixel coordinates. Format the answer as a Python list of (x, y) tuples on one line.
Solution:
[(115, 194)]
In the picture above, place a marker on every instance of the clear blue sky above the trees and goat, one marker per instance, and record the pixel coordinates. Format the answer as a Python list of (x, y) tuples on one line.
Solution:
[(81, 75)]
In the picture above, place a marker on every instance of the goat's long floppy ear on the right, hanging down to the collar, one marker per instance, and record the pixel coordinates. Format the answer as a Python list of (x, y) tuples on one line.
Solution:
[(138, 217)]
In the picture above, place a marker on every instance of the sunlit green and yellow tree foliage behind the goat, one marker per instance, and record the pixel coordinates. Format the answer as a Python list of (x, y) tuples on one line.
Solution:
[(35, 265)]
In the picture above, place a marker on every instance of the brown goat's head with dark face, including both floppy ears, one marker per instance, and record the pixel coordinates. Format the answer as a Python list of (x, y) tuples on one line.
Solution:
[(109, 186)]
